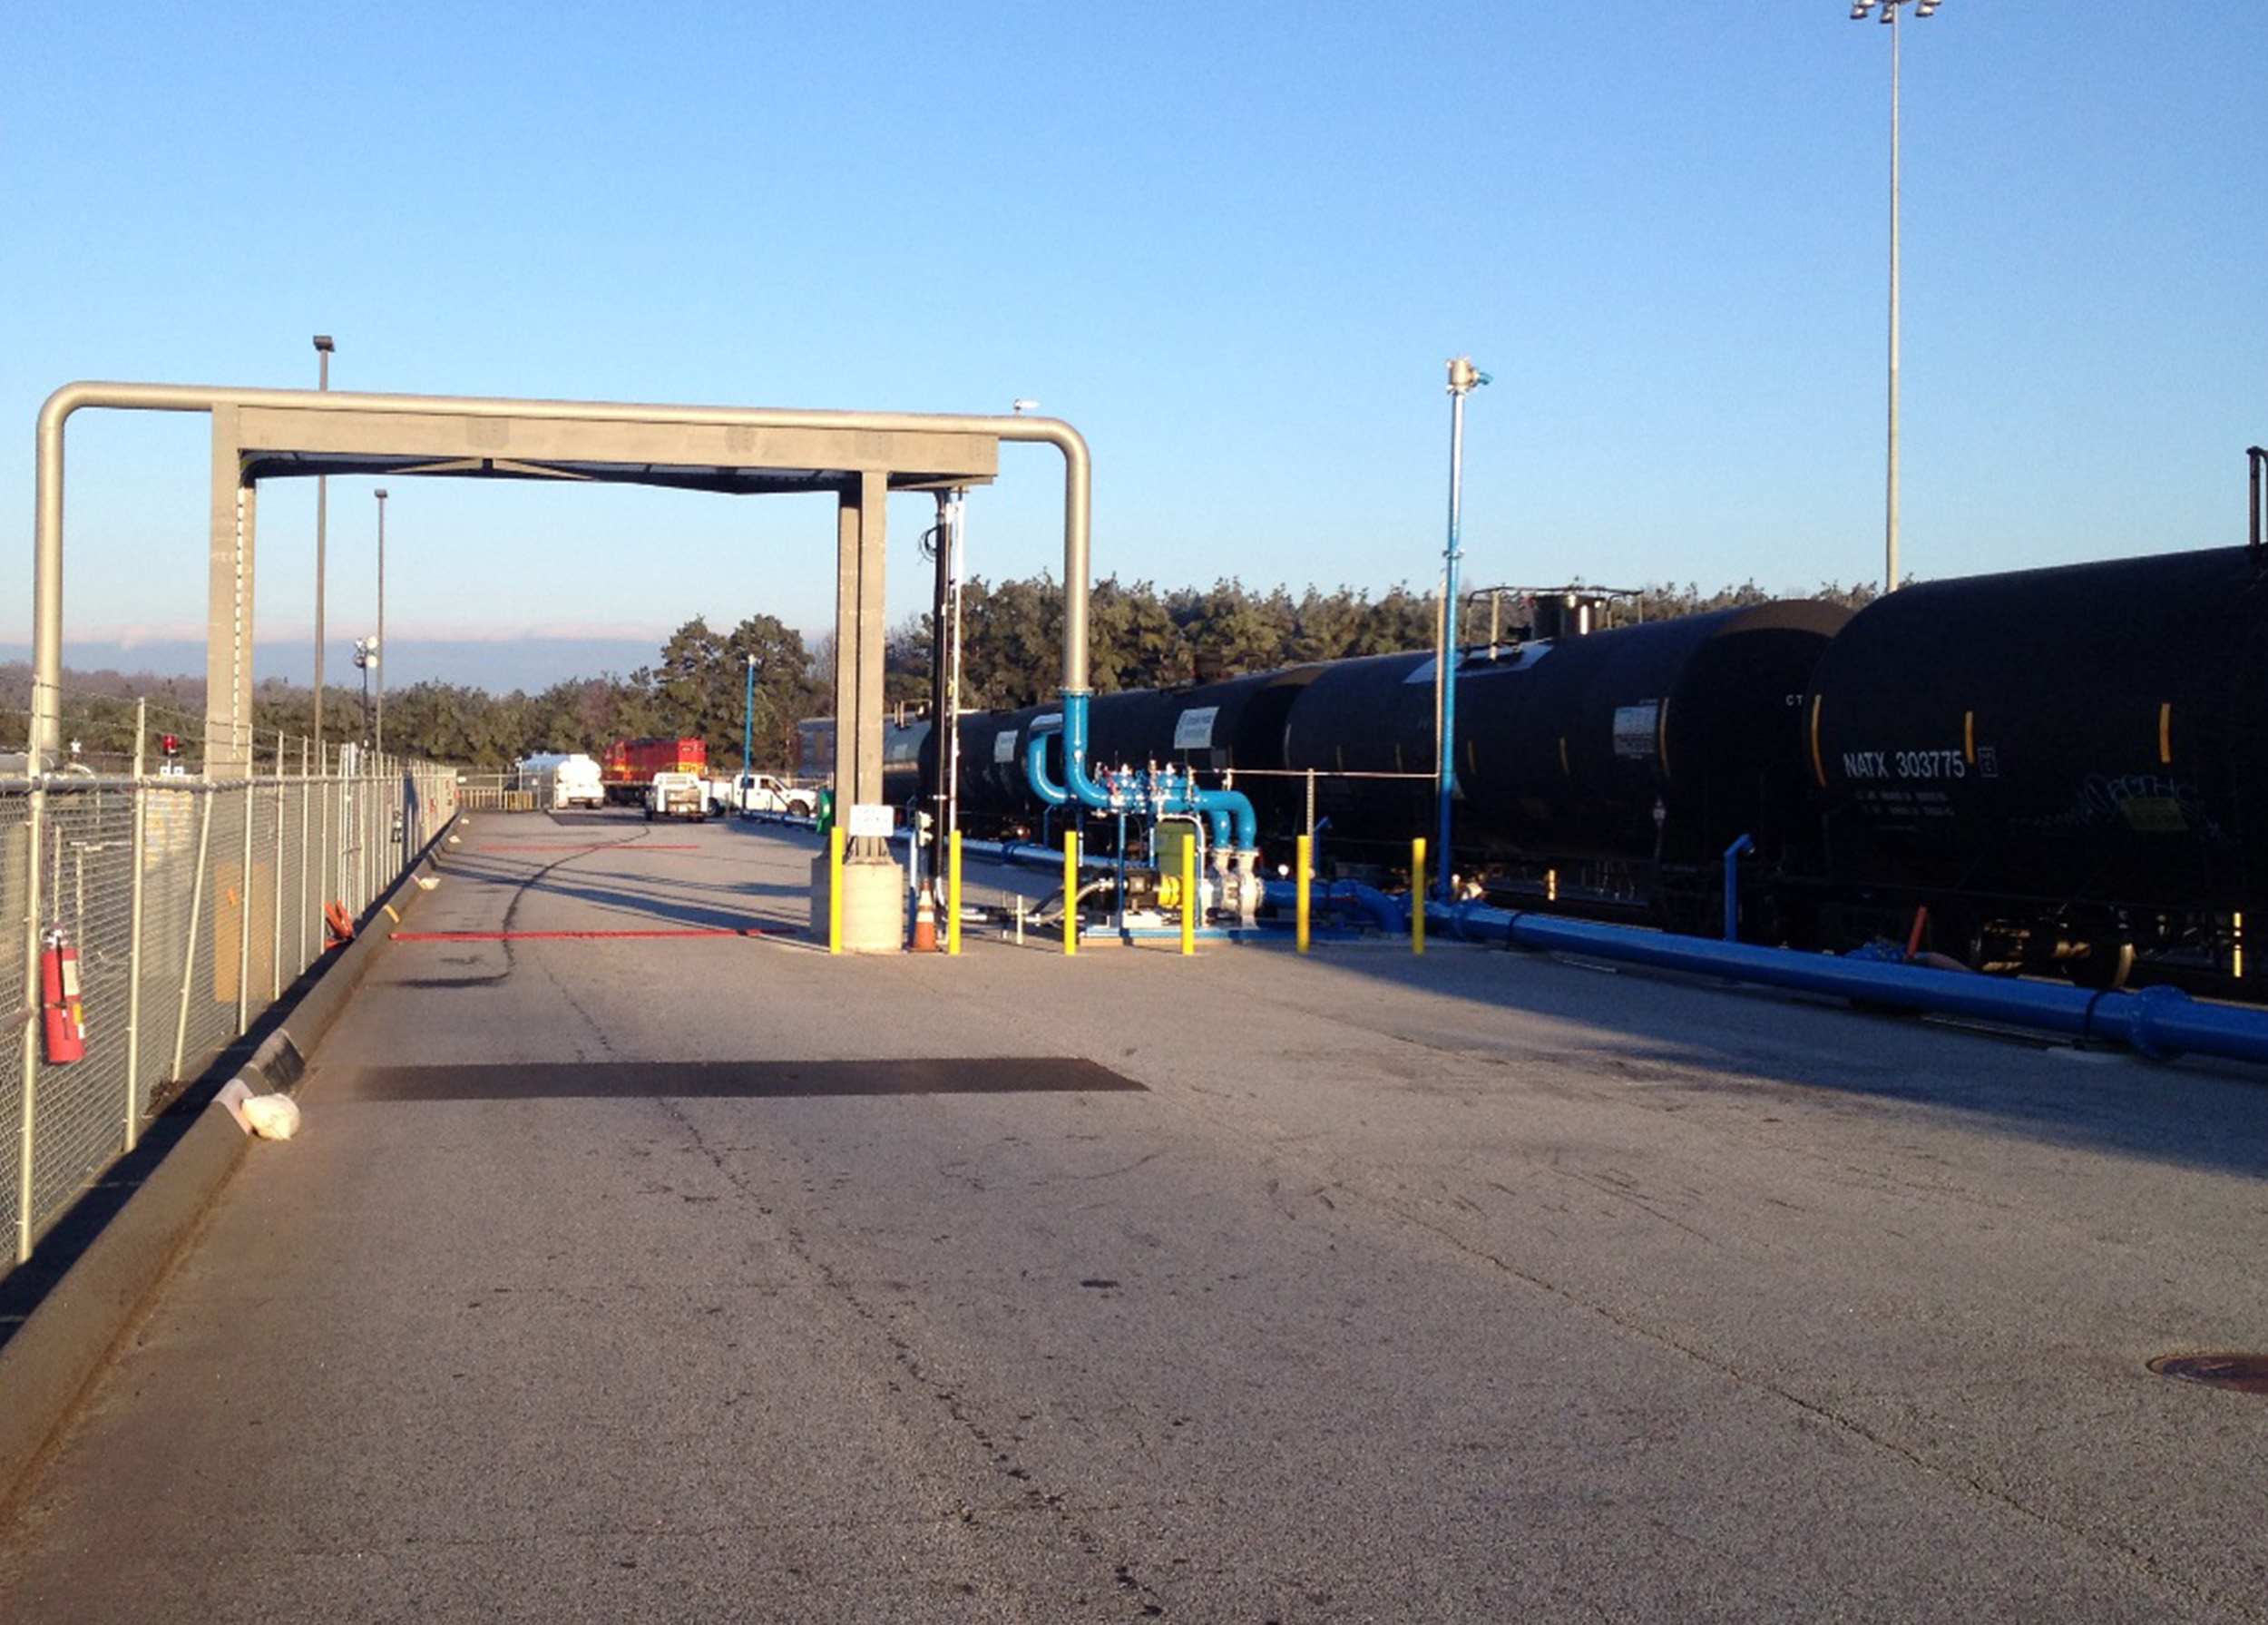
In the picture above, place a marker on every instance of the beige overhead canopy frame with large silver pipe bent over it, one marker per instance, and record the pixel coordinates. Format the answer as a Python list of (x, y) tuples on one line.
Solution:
[(260, 432)]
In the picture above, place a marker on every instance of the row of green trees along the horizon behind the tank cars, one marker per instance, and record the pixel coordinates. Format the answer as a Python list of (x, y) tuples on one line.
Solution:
[(1010, 657)]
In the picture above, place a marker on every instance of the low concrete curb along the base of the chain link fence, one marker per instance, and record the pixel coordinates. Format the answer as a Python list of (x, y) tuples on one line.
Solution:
[(69, 1340)]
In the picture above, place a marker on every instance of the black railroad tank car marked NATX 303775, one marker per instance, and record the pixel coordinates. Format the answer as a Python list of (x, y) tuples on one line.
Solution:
[(2083, 741)]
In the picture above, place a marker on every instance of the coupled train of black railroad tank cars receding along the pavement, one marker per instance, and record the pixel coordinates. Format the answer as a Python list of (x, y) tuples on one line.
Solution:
[(2051, 768)]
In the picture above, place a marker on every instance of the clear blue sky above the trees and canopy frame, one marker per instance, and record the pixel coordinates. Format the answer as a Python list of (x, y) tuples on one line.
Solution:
[(1233, 244)]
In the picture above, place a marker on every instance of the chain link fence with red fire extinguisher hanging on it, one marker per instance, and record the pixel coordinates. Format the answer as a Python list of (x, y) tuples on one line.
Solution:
[(185, 909)]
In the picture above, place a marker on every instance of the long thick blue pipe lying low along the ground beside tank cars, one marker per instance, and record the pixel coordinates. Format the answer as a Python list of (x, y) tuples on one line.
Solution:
[(2156, 1022)]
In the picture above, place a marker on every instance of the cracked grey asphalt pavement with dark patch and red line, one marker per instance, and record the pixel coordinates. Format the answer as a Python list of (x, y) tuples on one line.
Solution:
[(1469, 1288)]
